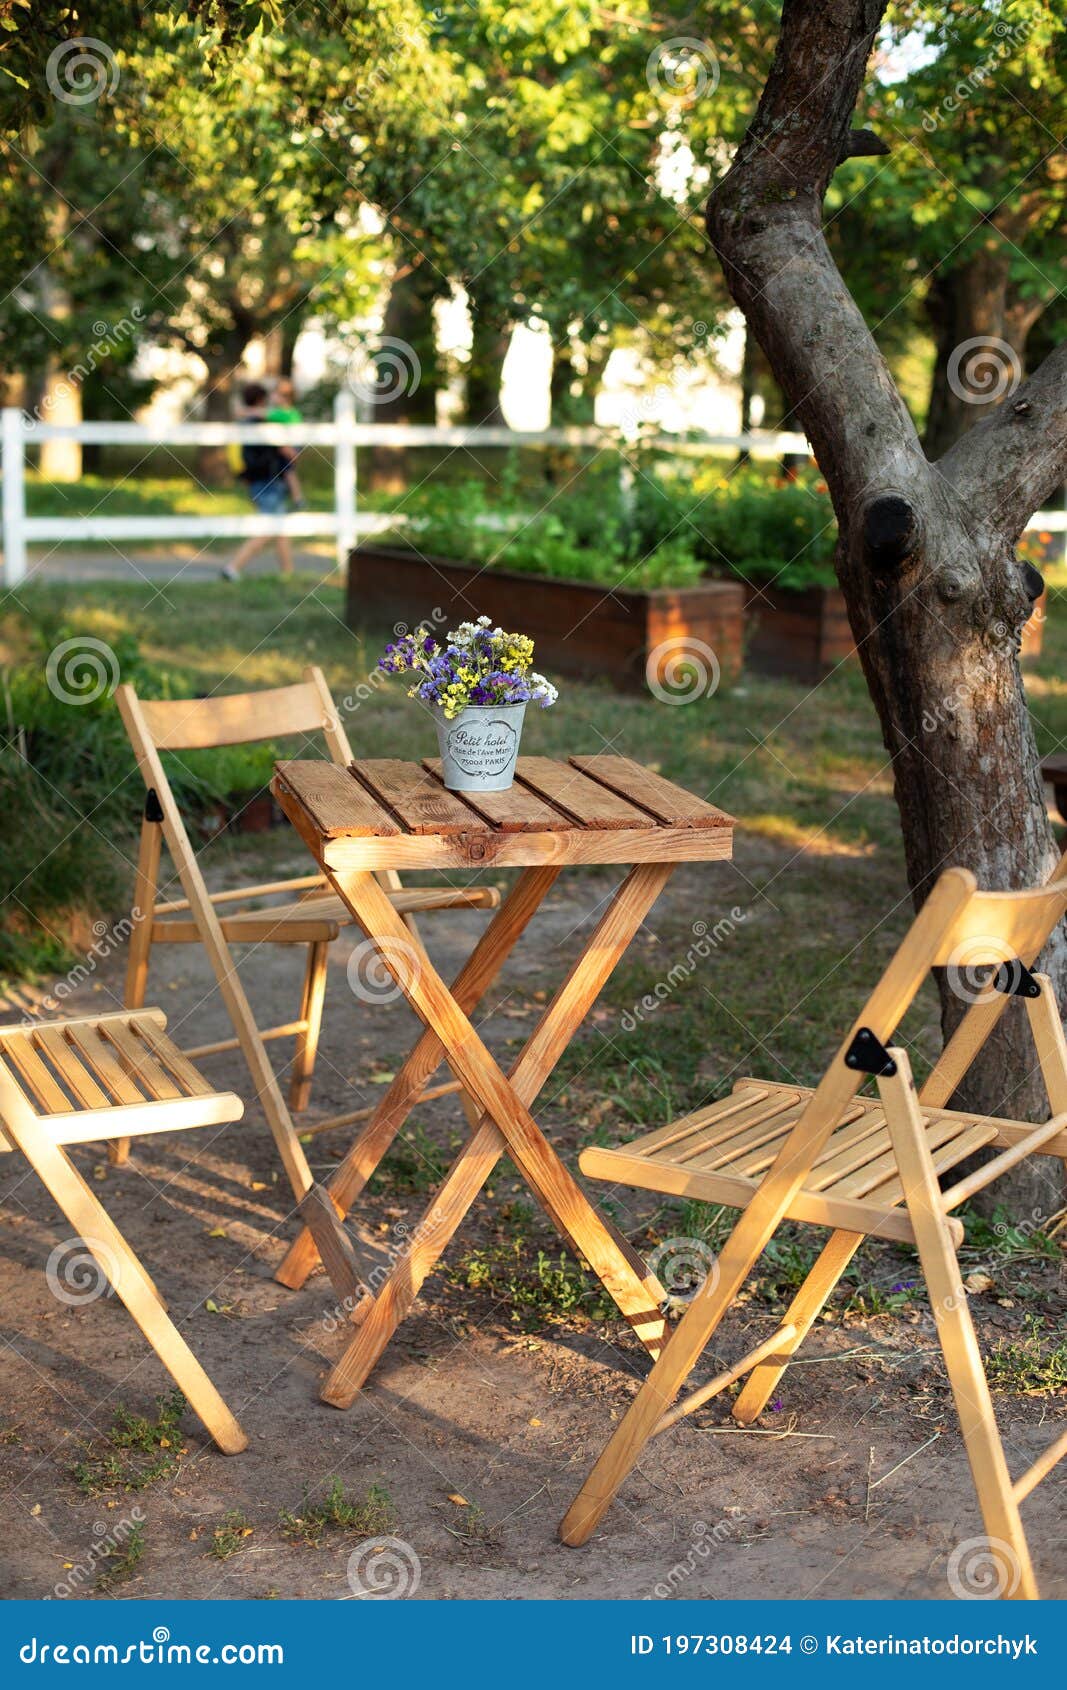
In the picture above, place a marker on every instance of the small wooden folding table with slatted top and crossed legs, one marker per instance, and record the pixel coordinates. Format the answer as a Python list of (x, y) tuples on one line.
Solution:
[(385, 814)]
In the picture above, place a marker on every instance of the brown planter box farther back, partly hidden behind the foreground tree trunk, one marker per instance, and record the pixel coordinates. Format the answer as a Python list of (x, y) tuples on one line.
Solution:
[(807, 635)]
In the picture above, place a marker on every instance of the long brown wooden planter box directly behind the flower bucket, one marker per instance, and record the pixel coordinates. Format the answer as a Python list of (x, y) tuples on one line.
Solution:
[(577, 630)]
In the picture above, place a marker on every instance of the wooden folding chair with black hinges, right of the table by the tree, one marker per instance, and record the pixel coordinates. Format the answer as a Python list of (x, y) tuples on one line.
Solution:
[(836, 1160)]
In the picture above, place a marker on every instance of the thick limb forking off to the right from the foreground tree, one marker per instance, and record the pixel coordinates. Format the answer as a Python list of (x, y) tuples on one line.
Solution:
[(1017, 457)]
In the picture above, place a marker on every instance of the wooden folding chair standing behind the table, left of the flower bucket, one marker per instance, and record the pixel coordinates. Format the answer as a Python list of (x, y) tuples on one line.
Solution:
[(312, 917)]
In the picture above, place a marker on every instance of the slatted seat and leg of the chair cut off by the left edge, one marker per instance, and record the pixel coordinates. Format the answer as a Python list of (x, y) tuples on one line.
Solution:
[(106, 1077)]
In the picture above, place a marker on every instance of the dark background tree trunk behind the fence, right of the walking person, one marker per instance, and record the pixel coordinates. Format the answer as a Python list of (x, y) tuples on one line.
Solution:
[(408, 373)]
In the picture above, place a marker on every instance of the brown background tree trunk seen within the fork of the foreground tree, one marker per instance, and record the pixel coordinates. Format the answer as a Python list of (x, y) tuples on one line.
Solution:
[(982, 344)]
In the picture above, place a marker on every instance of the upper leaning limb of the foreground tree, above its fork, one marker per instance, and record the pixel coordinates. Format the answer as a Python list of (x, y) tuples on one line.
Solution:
[(765, 224)]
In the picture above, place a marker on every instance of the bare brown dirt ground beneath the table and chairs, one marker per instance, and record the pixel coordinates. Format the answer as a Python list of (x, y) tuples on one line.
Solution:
[(478, 1429)]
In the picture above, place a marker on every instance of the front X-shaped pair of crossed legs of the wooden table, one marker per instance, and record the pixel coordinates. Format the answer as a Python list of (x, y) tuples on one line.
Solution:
[(508, 1126)]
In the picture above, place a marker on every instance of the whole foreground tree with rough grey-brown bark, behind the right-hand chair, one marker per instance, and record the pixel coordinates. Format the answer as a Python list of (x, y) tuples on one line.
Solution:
[(926, 559)]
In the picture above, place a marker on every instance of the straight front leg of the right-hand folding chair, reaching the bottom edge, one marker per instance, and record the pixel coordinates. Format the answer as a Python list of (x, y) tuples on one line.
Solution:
[(956, 1334)]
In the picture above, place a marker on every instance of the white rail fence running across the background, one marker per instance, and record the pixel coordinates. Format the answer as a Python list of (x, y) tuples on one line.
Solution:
[(344, 435)]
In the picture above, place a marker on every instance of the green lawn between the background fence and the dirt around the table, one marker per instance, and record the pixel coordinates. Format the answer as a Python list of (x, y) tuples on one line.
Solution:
[(819, 873)]
